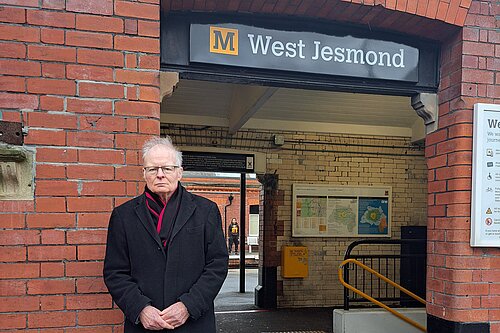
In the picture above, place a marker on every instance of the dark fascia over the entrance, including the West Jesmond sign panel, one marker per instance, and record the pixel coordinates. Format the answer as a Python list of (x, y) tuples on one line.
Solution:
[(298, 53)]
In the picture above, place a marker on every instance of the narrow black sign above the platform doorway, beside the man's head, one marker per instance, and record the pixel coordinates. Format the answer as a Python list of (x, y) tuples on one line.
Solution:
[(217, 162)]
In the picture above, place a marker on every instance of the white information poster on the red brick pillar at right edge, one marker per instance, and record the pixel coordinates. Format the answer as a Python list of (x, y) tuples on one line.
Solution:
[(485, 226)]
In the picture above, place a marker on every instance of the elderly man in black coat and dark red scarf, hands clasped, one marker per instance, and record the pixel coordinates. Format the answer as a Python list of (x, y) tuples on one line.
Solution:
[(166, 257)]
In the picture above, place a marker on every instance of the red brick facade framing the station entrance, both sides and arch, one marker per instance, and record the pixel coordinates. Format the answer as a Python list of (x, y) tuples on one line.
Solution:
[(83, 77)]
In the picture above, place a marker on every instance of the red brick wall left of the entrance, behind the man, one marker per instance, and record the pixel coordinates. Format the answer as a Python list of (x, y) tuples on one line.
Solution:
[(83, 77)]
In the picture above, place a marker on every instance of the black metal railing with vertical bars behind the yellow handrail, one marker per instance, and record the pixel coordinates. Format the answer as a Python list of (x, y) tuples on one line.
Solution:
[(385, 256)]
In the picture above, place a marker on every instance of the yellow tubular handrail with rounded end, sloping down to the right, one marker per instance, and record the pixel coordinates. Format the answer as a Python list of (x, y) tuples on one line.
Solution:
[(371, 299)]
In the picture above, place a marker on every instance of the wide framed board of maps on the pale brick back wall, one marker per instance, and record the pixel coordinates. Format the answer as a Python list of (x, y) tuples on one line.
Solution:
[(341, 211)]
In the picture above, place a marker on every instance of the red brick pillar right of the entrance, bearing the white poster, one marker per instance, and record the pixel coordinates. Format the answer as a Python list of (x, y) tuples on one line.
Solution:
[(463, 282)]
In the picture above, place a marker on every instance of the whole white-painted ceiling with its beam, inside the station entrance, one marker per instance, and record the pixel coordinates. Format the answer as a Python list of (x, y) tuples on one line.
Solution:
[(236, 106)]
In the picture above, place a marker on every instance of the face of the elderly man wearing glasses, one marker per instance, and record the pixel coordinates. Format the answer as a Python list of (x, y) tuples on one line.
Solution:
[(161, 183)]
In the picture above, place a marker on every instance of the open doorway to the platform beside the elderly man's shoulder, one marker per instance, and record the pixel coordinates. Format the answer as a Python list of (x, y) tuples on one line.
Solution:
[(224, 189)]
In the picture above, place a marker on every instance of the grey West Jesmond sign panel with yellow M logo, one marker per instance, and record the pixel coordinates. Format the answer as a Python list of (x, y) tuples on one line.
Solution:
[(299, 51)]
